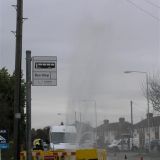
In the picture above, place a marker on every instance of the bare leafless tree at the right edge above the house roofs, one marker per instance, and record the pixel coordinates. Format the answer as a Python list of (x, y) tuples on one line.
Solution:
[(154, 92)]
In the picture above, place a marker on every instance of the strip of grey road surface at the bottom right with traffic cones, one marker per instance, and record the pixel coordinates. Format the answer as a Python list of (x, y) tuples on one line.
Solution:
[(133, 156)]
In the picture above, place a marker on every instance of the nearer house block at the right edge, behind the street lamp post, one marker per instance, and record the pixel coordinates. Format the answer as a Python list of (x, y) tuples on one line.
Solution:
[(141, 129)]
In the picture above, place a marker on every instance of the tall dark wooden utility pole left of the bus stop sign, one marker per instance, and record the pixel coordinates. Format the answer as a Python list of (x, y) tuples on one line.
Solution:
[(18, 59)]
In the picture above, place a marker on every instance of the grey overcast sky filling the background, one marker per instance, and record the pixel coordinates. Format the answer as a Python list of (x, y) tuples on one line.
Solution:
[(95, 41)]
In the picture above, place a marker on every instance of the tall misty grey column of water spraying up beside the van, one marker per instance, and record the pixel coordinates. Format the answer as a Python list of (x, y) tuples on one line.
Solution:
[(86, 70)]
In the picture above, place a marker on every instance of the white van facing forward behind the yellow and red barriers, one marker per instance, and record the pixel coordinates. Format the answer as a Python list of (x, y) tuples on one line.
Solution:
[(62, 137)]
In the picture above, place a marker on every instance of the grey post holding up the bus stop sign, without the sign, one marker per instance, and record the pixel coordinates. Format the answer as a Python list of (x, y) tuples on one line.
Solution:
[(28, 104)]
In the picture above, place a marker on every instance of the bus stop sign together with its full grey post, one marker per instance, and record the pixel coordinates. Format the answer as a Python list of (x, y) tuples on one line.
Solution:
[(44, 73)]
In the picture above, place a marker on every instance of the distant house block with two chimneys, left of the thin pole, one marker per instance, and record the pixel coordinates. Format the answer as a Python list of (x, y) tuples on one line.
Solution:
[(107, 132)]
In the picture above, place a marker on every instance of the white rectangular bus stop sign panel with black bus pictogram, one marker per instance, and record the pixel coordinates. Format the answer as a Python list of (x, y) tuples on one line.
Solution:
[(44, 71)]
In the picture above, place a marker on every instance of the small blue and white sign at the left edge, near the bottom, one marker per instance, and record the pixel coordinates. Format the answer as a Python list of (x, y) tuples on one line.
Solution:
[(3, 139)]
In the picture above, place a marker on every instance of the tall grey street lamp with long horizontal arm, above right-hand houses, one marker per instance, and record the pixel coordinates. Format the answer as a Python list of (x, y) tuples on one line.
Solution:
[(148, 118)]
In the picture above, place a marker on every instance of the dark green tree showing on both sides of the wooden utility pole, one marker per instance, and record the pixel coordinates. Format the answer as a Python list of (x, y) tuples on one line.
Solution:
[(7, 85)]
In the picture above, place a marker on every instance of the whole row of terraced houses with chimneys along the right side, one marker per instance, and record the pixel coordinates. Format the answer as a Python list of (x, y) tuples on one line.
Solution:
[(107, 132)]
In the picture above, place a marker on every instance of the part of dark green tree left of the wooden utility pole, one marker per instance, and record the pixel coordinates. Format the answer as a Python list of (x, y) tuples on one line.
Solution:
[(6, 100)]
